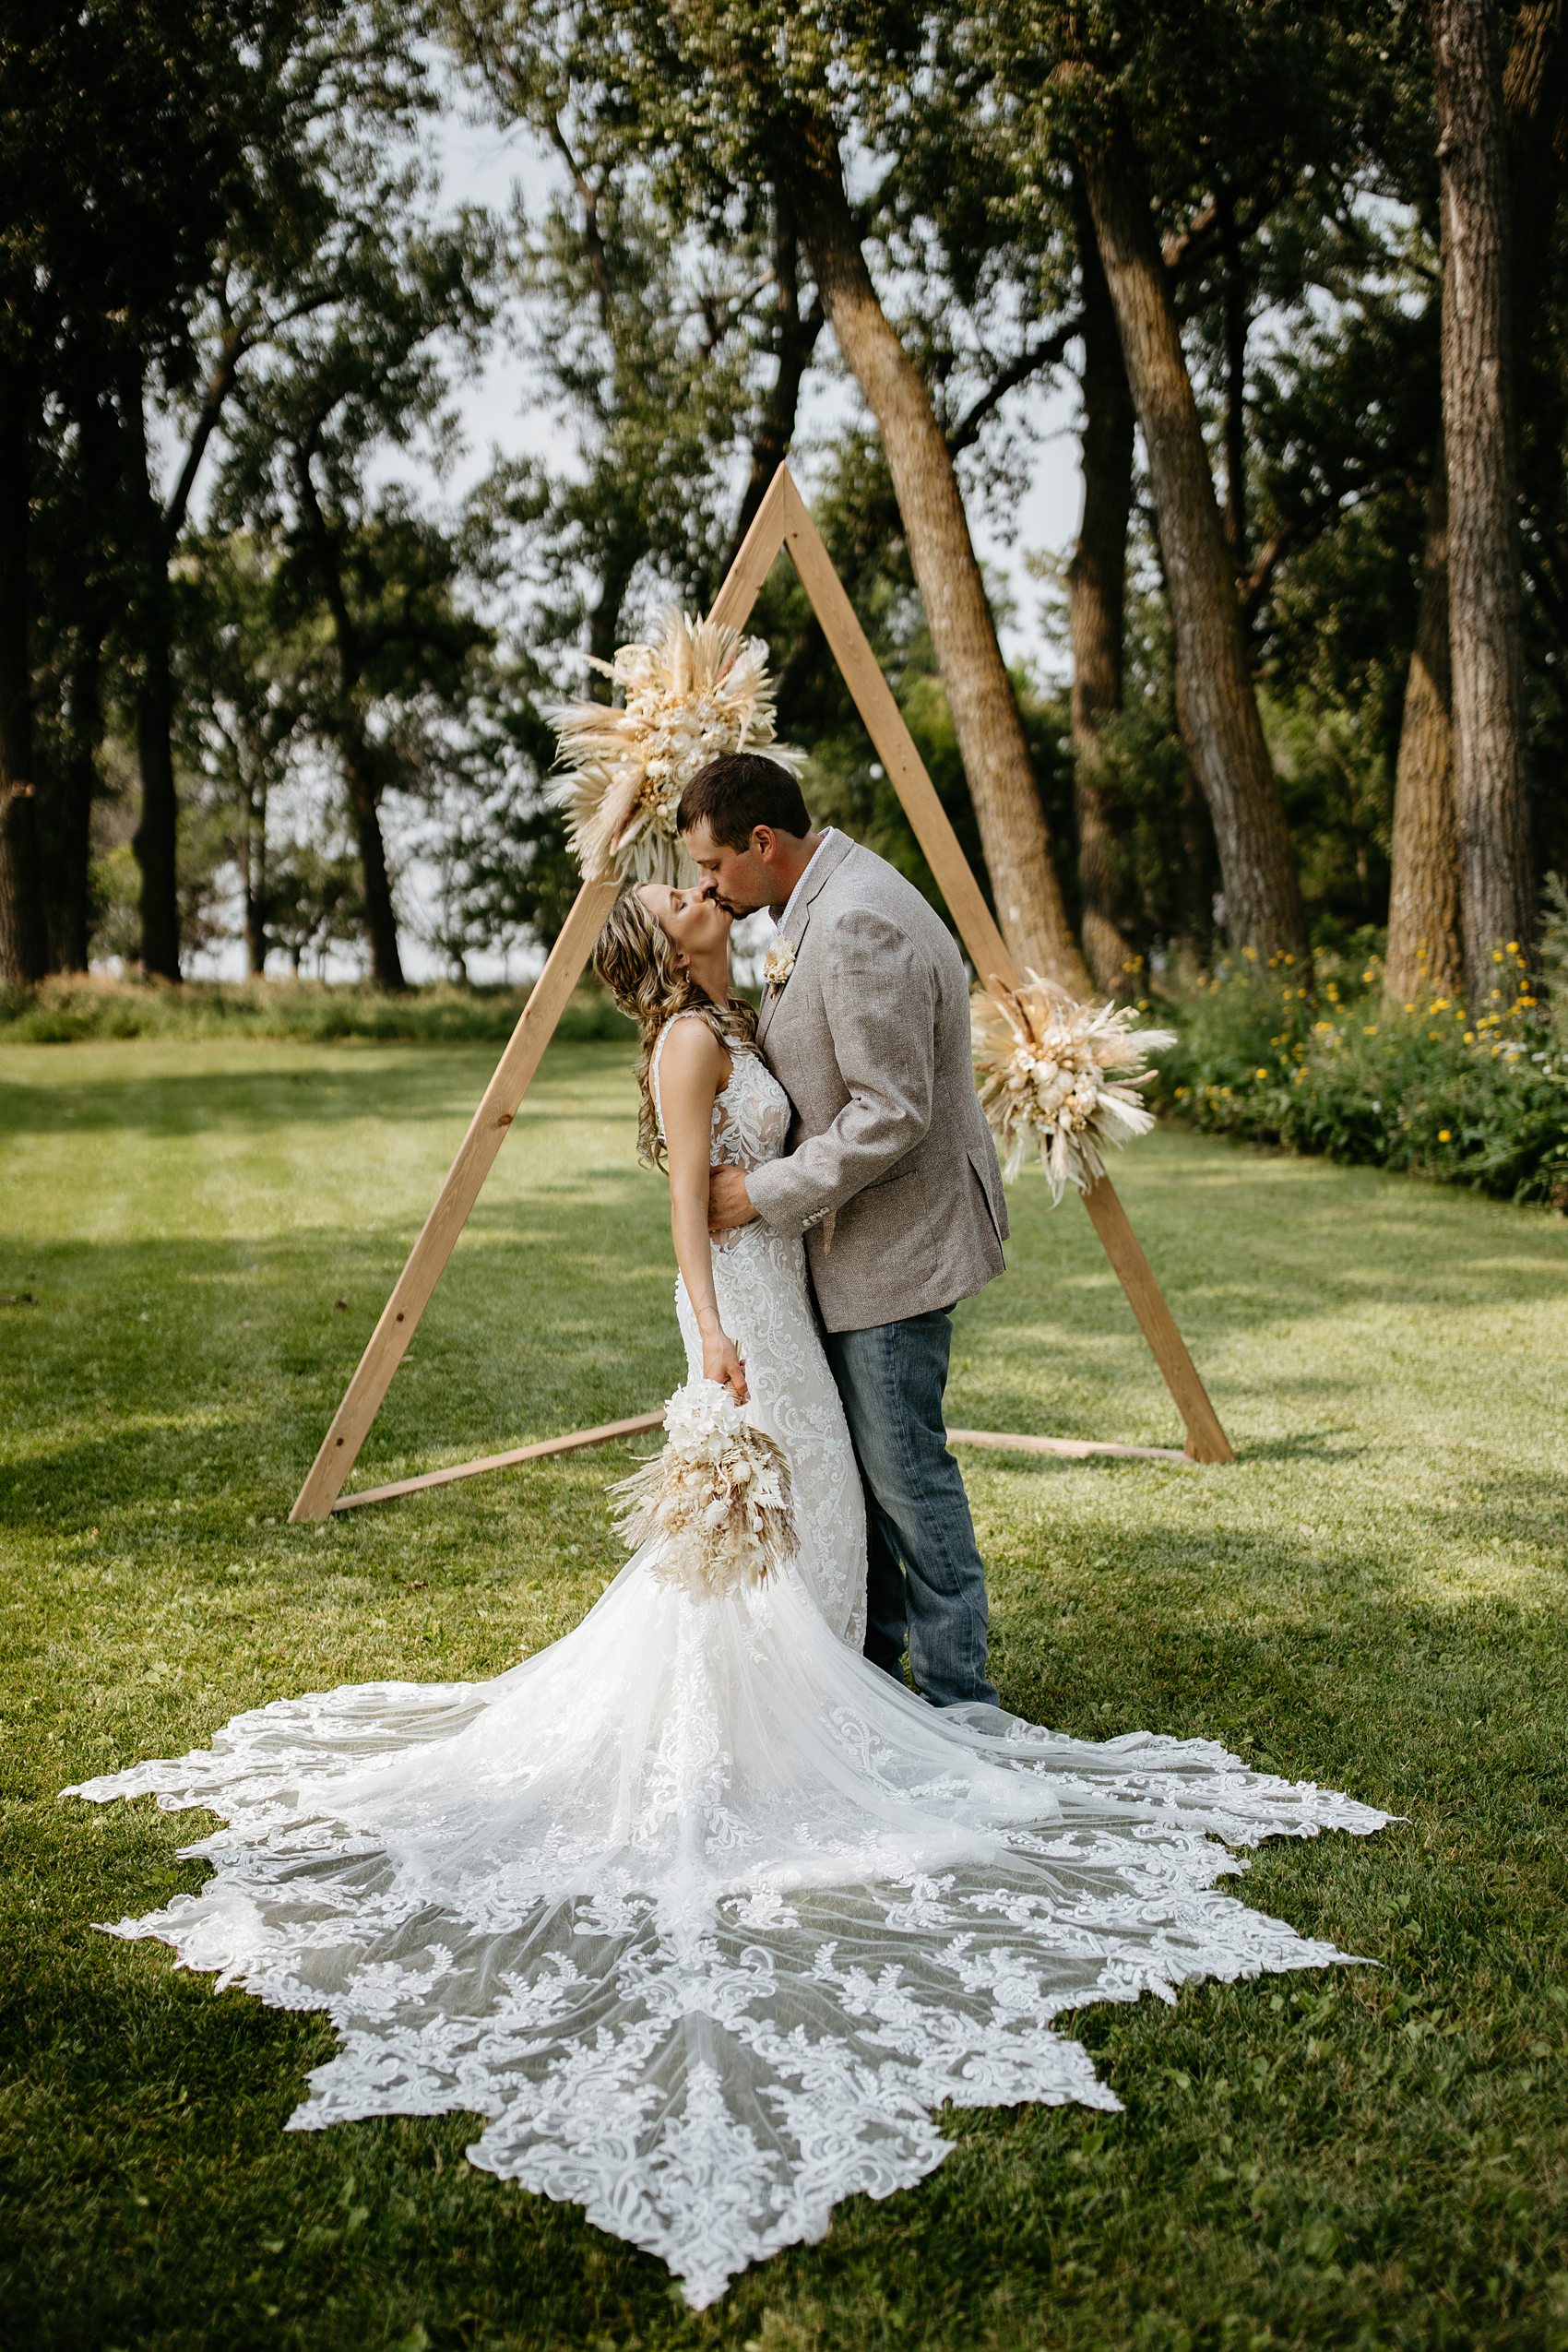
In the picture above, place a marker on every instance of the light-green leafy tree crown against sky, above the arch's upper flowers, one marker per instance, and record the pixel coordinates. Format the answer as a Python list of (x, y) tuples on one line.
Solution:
[(648, 340)]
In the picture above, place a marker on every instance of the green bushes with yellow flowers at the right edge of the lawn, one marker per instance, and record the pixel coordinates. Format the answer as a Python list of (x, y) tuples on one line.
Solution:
[(1419, 1088)]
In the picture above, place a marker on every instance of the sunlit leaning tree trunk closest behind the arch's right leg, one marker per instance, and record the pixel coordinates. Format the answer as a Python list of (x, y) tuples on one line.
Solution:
[(986, 719)]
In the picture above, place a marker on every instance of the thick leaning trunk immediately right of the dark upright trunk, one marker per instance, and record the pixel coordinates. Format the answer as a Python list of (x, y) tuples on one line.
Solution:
[(1214, 690)]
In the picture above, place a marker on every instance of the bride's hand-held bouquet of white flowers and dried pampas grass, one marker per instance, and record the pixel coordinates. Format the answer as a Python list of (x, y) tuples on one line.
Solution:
[(718, 1497)]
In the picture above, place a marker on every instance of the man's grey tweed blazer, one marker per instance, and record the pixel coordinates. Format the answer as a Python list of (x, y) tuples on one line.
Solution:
[(892, 1172)]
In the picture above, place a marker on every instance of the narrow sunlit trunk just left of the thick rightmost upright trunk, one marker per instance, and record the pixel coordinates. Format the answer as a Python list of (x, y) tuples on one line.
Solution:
[(1426, 949)]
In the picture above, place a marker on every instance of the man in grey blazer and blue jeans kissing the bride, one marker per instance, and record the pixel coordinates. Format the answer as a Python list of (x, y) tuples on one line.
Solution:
[(892, 1177)]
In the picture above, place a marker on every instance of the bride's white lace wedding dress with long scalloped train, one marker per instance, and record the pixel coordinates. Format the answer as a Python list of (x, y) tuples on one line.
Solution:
[(699, 1911)]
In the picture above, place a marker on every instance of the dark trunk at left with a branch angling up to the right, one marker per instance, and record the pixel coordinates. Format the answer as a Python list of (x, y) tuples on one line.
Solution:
[(156, 841)]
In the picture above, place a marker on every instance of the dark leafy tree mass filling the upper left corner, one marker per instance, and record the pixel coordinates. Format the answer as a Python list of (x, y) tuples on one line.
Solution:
[(182, 185)]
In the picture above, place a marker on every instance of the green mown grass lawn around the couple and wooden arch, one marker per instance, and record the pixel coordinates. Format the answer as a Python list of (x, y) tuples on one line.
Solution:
[(1376, 1598)]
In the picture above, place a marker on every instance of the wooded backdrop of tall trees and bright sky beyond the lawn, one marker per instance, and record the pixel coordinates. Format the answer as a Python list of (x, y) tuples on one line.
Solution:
[(1184, 415)]
